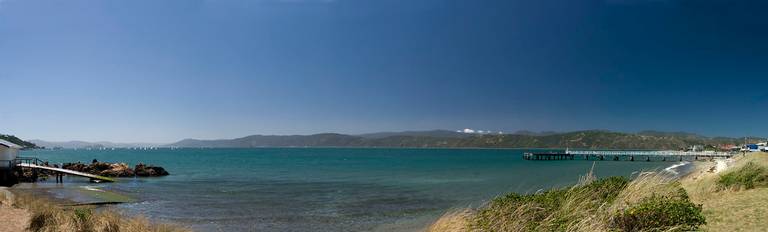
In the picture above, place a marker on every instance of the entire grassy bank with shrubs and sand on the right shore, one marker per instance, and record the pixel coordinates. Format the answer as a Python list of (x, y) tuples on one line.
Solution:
[(710, 199)]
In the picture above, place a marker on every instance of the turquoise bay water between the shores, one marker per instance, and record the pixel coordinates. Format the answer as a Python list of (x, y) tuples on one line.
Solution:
[(322, 189)]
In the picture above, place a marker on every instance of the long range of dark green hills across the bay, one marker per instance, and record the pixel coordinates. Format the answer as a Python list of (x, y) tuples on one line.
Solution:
[(440, 138)]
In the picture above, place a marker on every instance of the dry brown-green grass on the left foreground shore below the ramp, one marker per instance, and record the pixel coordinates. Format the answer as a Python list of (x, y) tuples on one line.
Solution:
[(47, 217)]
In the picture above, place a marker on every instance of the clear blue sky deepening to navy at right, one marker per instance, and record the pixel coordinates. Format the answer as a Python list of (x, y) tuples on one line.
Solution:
[(160, 71)]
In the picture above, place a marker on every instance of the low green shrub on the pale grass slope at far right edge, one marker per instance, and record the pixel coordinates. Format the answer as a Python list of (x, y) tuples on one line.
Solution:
[(747, 177)]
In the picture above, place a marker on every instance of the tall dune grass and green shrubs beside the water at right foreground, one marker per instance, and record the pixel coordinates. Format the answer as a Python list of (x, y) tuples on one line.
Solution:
[(650, 202)]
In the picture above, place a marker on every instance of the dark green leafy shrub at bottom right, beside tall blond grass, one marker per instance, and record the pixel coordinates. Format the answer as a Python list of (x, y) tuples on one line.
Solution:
[(661, 213)]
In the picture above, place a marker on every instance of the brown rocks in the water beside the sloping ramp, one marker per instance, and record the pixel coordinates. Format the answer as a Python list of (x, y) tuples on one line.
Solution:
[(116, 169)]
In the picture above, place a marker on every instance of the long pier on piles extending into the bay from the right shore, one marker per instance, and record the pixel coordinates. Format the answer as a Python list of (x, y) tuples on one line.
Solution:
[(648, 156)]
